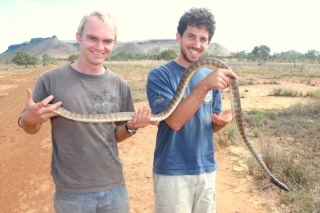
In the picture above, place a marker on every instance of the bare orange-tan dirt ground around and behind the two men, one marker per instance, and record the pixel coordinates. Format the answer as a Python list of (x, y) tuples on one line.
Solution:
[(26, 184)]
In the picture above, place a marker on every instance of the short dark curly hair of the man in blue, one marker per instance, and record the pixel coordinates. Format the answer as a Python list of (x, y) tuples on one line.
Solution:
[(199, 17)]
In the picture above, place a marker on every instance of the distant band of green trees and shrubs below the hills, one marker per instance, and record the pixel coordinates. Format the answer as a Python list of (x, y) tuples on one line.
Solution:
[(260, 54)]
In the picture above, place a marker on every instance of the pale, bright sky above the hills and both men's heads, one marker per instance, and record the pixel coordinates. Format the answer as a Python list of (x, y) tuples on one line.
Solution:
[(241, 25)]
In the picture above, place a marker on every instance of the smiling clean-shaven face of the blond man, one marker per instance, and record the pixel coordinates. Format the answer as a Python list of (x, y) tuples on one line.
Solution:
[(96, 41)]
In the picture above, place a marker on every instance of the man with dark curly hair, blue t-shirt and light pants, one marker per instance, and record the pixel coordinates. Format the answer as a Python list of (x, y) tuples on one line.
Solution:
[(184, 163)]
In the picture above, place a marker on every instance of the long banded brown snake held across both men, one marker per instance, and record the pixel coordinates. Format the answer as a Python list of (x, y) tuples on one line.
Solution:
[(210, 63)]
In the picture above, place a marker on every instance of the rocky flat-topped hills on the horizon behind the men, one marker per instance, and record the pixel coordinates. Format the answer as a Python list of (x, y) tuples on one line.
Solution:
[(62, 49)]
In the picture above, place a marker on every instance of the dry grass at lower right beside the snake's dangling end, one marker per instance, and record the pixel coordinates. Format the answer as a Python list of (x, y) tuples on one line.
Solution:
[(289, 143)]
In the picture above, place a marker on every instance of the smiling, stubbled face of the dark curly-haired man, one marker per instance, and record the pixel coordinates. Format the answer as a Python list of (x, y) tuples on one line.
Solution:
[(194, 42)]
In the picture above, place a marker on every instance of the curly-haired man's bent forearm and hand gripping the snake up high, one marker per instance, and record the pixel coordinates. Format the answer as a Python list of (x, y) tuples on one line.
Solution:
[(188, 106)]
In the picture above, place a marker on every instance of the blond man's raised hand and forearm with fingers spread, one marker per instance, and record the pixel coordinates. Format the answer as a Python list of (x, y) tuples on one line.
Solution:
[(36, 113)]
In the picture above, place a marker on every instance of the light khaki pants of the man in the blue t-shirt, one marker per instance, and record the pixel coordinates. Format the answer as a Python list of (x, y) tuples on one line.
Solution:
[(185, 193)]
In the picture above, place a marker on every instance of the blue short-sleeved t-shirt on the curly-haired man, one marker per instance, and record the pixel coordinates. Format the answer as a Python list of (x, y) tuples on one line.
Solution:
[(189, 151)]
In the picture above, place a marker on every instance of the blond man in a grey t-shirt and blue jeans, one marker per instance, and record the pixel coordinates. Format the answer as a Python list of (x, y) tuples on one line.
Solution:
[(85, 166)]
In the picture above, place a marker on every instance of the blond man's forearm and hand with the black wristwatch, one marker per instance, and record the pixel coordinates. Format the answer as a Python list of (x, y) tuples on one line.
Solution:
[(140, 119)]
